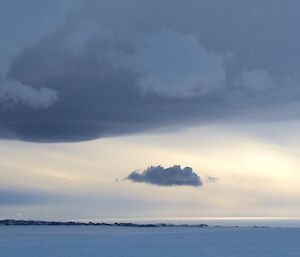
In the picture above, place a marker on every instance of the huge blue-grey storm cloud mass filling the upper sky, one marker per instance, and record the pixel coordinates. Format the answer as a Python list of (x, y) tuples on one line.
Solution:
[(117, 67)]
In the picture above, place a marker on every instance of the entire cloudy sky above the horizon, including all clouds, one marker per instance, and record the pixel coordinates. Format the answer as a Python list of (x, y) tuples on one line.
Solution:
[(149, 109)]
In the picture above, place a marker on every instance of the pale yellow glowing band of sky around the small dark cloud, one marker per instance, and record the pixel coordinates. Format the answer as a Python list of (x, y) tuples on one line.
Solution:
[(256, 177)]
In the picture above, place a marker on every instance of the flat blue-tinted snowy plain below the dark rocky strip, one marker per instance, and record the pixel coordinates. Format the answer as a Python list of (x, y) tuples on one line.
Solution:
[(92, 241)]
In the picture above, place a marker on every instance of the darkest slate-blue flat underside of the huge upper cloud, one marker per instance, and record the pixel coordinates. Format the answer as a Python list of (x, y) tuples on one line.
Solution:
[(95, 99)]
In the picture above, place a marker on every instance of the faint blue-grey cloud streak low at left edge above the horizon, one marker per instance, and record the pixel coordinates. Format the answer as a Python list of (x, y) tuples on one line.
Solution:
[(18, 197)]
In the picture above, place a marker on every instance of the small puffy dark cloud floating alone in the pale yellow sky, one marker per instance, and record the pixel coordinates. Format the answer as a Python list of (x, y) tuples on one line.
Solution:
[(160, 176)]
